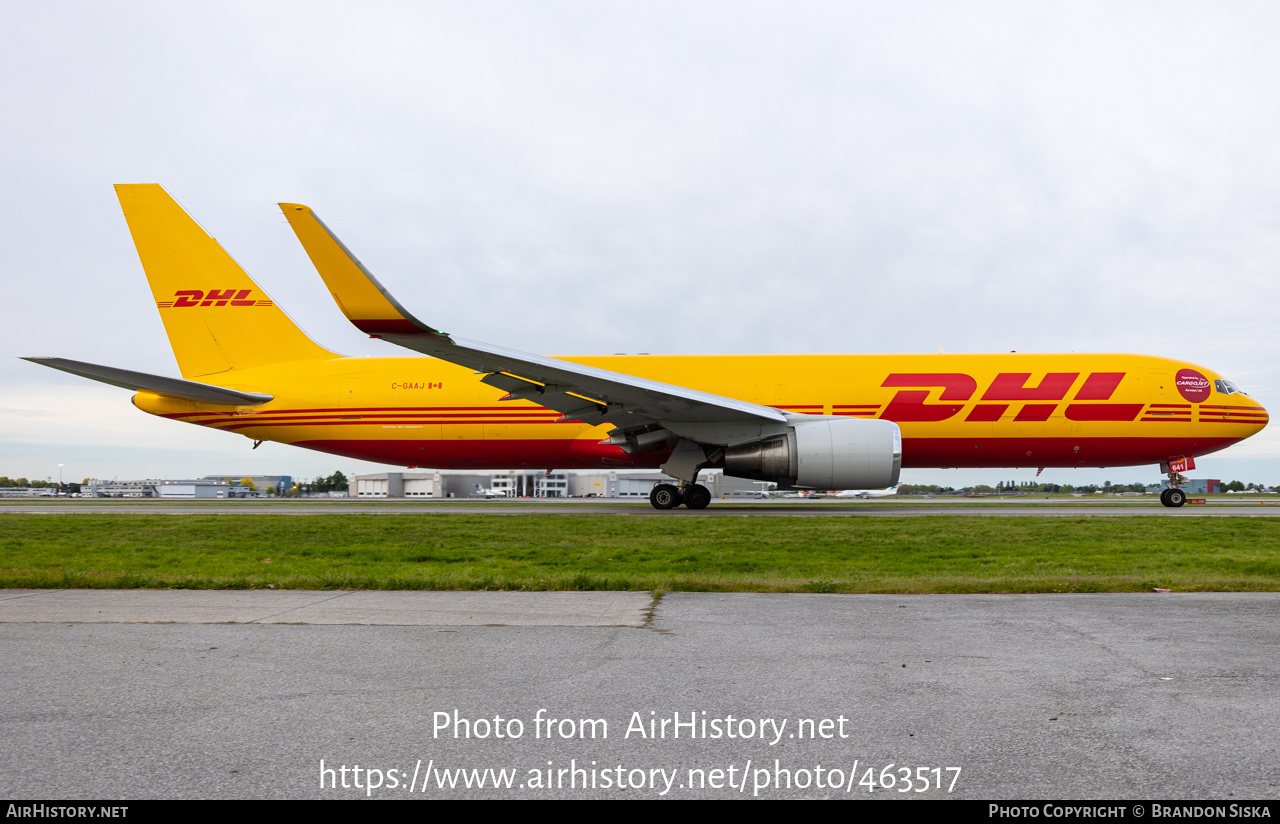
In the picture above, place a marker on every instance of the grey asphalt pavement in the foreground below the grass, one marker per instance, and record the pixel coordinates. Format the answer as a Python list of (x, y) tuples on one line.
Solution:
[(230, 695)]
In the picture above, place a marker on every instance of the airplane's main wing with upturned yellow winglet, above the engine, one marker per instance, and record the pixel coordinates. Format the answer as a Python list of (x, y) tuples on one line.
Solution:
[(586, 393)]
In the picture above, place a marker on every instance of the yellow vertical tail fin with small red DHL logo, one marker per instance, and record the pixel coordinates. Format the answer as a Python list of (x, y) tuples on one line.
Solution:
[(217, 318)]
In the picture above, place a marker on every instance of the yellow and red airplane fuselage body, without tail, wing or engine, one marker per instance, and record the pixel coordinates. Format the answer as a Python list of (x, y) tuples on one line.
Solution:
[(954, 410)]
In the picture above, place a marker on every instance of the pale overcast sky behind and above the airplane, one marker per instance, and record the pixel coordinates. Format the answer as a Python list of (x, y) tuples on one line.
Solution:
[(579, 178)]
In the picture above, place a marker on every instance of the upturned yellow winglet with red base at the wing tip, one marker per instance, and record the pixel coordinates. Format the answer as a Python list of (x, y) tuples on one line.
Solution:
[(367, 304)]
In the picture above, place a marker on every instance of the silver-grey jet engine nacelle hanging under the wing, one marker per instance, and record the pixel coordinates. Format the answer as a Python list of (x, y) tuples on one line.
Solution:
[(824, 454)]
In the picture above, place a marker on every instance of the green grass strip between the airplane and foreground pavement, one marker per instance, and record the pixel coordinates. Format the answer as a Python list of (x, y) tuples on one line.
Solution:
[(589, 552)]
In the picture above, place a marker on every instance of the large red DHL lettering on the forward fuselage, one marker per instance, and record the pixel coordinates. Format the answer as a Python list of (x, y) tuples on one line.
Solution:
[(1040, 402)]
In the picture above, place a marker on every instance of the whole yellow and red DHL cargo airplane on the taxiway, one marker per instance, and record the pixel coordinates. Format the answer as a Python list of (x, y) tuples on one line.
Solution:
[(804, 422)]
